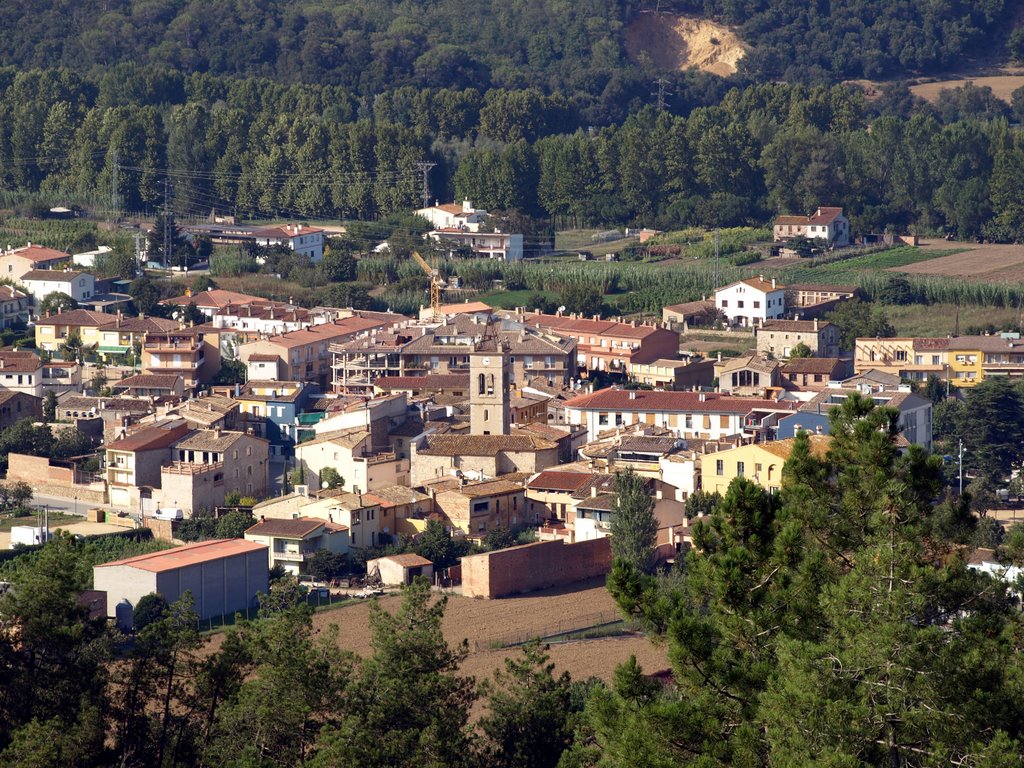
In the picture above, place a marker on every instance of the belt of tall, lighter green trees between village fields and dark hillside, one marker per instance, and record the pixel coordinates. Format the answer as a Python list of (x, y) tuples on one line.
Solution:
[(263, 149)]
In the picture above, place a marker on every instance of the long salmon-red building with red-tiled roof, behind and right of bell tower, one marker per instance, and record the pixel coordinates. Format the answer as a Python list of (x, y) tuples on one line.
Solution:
[(607, 346)]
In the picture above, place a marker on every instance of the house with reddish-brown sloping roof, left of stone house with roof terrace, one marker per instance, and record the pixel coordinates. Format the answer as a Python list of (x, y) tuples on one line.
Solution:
[(135, 460)]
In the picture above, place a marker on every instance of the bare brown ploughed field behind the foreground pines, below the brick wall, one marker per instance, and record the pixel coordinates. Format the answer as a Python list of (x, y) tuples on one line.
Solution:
[(485, 623)]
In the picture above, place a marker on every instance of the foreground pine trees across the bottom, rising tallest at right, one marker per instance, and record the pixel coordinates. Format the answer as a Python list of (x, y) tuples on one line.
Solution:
[(832, 624)]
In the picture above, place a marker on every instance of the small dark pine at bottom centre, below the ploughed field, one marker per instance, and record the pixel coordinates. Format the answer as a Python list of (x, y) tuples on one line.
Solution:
[(531, 714)]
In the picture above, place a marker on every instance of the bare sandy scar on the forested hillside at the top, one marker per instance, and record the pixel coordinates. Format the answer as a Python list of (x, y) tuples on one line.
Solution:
[(671, 41)]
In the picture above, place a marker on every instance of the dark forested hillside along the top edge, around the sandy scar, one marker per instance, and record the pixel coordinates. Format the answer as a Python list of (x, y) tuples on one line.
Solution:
[(576, 49)]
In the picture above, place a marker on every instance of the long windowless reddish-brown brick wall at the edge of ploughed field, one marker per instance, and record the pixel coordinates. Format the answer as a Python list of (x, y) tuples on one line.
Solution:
[(534, 567)]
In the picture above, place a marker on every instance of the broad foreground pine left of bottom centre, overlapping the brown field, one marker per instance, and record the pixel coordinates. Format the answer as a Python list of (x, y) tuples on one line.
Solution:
[(410, 706)]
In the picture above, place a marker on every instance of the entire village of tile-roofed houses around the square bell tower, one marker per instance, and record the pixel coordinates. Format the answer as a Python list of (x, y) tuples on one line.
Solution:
[(354, 431)]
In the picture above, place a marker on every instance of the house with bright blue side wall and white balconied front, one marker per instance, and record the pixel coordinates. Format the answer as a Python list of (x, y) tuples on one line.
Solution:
[(271, 410)]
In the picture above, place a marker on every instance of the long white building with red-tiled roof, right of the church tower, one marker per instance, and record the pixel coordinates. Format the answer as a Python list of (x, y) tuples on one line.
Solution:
[(689, 415)]
